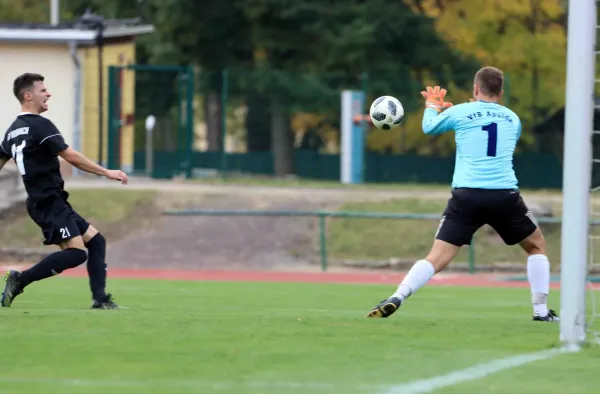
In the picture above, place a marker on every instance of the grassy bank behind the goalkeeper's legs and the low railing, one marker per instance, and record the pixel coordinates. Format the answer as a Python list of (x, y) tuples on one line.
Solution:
[(358, 239)]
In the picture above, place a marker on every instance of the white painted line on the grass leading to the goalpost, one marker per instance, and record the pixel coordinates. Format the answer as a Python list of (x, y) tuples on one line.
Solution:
[(472, 373)]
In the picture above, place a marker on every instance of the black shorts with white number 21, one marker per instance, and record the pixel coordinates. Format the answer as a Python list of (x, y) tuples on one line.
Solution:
[(57, 219)]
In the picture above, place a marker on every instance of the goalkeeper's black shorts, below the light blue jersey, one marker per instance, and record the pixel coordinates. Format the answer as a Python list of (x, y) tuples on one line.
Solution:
[(469, 209)]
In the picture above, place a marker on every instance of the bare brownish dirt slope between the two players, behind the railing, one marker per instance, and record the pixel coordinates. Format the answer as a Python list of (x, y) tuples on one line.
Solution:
[(218, 242)]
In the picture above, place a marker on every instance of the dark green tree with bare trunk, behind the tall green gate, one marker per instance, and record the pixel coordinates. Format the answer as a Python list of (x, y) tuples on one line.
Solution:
[(203, 34)]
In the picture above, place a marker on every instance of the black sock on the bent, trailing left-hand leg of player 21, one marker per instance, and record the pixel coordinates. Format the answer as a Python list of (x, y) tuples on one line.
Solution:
[(52, 265)]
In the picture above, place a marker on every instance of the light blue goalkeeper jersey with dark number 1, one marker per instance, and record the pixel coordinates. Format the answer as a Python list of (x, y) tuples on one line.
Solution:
[(486, 135)]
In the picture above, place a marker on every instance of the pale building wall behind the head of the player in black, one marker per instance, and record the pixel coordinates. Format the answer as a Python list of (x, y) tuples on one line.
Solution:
[(55, 64)]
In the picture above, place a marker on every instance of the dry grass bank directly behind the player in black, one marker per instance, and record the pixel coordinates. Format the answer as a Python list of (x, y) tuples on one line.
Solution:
[(104, 208)]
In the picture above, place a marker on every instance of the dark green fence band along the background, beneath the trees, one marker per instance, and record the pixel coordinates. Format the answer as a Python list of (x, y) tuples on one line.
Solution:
[(379, 168)]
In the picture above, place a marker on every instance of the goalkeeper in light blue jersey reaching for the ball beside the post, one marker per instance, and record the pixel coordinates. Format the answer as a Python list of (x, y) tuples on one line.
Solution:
[(484, 190)]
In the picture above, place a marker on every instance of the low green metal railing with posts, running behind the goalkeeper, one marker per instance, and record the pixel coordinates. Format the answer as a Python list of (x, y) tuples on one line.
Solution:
[(323, 215)]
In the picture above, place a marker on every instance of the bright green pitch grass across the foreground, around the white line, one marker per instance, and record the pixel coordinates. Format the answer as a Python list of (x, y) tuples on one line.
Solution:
[(193, 337)]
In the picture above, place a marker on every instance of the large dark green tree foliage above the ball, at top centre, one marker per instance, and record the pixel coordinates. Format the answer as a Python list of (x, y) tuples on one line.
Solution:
[(398, 49)]
